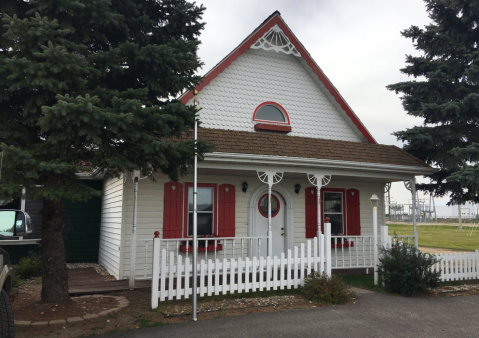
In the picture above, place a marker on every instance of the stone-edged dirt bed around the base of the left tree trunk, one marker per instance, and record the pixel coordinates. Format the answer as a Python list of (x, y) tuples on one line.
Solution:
[(26, 305)]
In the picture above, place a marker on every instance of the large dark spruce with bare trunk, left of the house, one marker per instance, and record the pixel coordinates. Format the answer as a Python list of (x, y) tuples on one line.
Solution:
[(91, 85)]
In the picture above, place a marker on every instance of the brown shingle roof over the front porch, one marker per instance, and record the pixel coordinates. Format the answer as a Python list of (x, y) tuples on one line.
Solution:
[(266, 143)]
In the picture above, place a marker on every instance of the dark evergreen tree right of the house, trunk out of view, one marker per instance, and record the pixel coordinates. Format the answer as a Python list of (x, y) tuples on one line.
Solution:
[(445, 93)]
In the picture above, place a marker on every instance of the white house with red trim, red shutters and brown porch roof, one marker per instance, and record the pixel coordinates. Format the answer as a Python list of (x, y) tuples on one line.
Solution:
[(272, 113)]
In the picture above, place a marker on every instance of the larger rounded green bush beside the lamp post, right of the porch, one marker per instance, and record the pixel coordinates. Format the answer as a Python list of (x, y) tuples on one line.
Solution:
[(404, 269)]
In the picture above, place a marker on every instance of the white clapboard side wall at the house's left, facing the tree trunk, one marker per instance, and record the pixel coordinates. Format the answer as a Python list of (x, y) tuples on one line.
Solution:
[(111, 222)]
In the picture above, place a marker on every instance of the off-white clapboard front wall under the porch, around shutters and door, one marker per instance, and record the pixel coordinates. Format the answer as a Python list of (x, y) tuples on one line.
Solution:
[(150, 210)]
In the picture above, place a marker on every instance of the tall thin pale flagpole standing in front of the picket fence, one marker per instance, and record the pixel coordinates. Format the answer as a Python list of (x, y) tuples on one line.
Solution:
[(195, 214)]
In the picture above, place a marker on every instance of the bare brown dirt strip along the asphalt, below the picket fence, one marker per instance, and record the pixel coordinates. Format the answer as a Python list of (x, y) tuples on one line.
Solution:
[(140, 315)]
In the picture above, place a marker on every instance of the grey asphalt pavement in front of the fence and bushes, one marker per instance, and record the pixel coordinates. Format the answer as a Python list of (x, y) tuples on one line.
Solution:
[(375, 315)]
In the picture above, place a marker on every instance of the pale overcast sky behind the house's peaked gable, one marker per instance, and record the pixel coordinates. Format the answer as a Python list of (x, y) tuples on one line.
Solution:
[(357, 44)]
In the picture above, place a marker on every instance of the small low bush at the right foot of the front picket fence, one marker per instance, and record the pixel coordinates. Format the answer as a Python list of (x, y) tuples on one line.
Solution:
[(320, 288)]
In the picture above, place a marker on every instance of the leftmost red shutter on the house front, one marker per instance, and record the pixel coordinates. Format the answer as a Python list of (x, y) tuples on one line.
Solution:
[(173, 210)]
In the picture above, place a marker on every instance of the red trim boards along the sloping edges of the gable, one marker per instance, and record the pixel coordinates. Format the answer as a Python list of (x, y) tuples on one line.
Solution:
[(272, 20)]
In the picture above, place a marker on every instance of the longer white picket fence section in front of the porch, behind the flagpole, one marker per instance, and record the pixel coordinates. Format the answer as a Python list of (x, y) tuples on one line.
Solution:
[(172, 275)]
